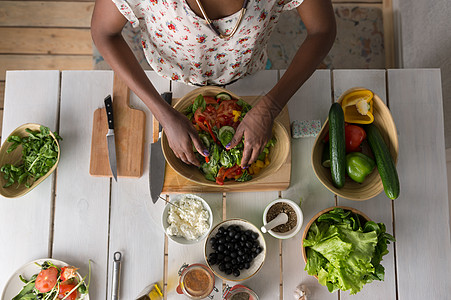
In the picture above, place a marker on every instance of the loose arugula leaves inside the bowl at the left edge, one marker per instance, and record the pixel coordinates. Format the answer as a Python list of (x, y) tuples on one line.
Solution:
[(39, 154)]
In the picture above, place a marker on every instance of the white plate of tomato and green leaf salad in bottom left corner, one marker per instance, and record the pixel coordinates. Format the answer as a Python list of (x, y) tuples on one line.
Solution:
[(47, 279)]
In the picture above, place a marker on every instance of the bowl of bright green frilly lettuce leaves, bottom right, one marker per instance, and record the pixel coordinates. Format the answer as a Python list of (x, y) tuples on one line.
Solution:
[(343, 249)]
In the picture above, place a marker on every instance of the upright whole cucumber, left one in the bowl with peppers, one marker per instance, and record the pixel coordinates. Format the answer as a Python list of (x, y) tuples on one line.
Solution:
[(337, 146)]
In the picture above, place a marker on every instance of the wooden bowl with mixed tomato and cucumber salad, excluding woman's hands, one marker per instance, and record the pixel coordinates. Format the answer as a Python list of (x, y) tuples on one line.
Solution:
[(223, 112)]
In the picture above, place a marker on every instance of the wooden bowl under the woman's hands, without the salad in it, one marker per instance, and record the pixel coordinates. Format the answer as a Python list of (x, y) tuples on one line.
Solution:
[(277, 154)]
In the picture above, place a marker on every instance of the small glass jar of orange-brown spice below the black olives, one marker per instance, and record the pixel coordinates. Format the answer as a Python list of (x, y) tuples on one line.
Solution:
[(196, 281)]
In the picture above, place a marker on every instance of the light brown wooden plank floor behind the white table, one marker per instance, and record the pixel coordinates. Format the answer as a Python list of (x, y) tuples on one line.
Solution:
[(43, 35)]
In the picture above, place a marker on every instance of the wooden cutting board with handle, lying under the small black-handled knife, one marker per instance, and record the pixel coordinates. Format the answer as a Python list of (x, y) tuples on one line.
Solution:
[(129, 131)]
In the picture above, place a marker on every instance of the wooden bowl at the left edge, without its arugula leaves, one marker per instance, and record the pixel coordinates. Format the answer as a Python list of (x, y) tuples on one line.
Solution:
[(15, 157)]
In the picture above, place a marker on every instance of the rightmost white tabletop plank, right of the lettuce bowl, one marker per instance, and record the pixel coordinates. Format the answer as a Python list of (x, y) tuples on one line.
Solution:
[(421, 212)]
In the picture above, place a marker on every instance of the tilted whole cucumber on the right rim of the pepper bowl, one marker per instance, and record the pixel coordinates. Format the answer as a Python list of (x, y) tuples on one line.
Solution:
[(384, 161)]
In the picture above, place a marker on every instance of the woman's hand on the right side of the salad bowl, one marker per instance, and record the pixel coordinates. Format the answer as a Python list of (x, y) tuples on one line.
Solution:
[(256, 127)]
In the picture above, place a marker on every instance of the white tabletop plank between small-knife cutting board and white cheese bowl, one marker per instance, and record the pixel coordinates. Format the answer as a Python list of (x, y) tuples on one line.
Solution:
[(132, 211)]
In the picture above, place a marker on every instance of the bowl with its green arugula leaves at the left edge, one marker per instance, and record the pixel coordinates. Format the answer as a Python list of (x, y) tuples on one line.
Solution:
[(28, 156)]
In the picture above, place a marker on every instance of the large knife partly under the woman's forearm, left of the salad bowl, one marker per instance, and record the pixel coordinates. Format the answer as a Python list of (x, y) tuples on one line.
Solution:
[(157, 161)]
